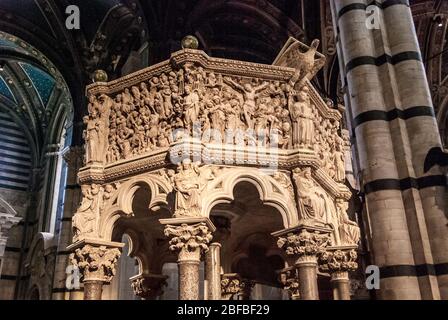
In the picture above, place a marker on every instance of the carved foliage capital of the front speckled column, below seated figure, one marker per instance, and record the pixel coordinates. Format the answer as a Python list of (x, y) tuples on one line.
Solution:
[(189, 240)]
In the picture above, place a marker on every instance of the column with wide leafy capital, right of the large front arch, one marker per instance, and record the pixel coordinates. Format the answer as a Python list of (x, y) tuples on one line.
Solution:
[(304, 244)]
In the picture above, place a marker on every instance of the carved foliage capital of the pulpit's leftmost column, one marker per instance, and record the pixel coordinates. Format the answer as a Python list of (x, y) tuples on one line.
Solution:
[(96, 263)]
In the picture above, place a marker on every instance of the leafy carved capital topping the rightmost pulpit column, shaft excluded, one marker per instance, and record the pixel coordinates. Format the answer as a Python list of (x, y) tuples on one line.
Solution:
[(338, 261)]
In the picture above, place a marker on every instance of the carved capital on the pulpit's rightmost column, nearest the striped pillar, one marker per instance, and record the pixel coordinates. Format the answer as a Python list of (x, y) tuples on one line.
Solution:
[(339, 260)]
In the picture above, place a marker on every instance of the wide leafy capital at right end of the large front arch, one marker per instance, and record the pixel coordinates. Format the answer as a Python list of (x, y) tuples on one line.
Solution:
[(304, 242)]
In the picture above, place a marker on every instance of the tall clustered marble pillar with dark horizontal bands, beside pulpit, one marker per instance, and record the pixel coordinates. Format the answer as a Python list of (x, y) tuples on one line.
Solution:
[(392, 120)]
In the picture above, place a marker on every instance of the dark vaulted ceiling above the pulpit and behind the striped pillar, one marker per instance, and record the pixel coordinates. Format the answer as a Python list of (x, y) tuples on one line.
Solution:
[(111, 30)]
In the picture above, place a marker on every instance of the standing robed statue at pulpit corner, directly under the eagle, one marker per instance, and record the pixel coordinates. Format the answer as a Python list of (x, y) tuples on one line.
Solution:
[(302, 119)]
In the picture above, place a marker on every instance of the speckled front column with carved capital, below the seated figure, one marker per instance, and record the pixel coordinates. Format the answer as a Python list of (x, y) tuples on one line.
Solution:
[(190, 238)]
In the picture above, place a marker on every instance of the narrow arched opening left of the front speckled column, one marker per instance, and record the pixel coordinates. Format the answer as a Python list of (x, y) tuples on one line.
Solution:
[(146, 248)]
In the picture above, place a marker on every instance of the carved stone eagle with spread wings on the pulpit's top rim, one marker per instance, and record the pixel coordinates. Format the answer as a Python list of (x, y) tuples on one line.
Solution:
[(306, 63)]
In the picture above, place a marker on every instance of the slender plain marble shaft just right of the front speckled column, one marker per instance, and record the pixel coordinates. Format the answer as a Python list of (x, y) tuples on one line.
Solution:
[(213, 272)]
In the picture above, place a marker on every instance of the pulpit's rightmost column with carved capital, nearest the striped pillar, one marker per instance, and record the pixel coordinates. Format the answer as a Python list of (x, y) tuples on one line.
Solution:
[(339, 261)]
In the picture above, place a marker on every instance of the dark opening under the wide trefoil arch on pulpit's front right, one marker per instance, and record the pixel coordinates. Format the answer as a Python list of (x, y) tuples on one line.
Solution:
[(244, 228)]
